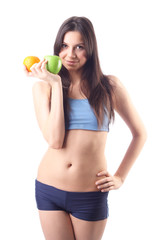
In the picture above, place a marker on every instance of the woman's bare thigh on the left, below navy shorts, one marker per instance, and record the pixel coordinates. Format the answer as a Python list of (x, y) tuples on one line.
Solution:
[(56, 225)]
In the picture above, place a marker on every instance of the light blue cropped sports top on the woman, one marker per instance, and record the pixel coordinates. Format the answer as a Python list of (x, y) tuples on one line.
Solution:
[(82, 116)]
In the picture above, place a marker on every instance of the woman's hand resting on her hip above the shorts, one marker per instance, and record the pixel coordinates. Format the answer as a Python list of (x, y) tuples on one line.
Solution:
[(109, 182)]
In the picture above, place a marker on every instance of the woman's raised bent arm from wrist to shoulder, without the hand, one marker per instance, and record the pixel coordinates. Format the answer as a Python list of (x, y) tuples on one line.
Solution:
[(48, 103)]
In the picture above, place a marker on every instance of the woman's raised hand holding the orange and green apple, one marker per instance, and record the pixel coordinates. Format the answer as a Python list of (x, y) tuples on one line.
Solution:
[(39, 70)]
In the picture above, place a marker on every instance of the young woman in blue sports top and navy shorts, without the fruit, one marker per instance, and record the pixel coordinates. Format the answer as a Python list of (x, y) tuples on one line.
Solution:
[(74, 110)]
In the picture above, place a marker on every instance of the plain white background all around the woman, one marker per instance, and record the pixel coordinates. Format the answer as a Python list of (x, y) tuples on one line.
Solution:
[(128, 42)]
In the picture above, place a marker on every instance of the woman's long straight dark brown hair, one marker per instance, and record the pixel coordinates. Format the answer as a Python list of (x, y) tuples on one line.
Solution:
[(95, 85)]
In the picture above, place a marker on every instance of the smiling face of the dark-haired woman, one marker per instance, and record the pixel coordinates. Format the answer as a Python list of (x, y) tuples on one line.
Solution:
[(73, 53)]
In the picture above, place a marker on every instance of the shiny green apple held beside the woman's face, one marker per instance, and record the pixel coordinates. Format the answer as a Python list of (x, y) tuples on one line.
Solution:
[(54, 63)]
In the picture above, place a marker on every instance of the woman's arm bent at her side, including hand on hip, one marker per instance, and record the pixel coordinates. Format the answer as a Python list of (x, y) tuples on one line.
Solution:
[(124, 107)]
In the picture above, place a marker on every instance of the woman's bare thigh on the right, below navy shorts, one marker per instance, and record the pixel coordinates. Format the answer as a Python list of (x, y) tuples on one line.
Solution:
[(88, 230)]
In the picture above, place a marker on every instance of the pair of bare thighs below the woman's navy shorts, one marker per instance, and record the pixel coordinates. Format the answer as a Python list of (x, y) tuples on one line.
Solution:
[(58, 225)]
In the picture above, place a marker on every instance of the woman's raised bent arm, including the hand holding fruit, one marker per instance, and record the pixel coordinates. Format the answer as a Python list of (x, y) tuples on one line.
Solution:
[(48, 104)]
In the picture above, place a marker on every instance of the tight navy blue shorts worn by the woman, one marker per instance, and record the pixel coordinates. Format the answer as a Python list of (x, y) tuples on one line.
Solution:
[(89, 206)]
